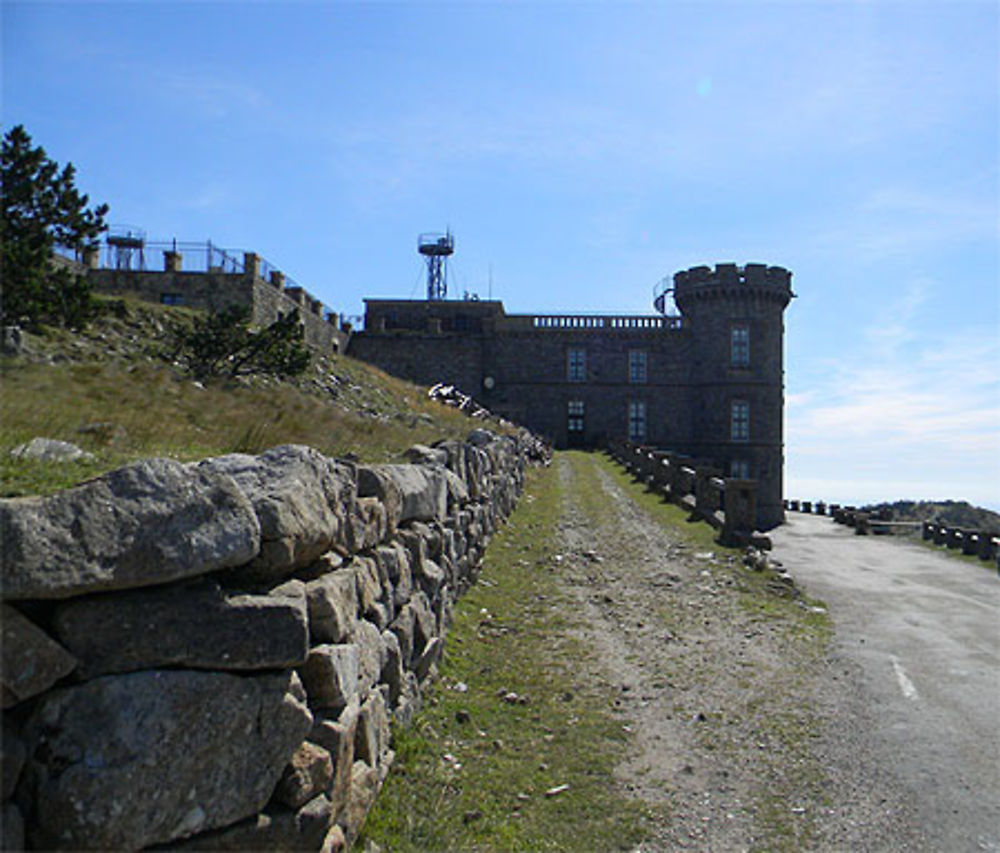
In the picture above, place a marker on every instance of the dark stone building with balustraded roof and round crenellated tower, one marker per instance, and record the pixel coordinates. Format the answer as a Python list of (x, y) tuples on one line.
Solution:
[(707, 383)]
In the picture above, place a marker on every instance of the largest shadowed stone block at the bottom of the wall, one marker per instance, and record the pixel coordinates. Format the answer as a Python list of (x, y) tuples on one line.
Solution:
[(127, 761)]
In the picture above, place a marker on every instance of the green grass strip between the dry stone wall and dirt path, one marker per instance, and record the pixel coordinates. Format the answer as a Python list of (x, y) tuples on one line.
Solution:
[(472, 772)]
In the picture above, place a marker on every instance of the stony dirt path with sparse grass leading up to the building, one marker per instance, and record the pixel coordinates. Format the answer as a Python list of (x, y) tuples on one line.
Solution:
[(748, 732)]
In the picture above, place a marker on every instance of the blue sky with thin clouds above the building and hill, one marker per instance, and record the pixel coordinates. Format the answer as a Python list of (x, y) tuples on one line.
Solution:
[(580, 152)]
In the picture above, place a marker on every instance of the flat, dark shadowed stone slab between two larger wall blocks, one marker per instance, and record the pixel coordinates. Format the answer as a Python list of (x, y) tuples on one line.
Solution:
[(197, 625)]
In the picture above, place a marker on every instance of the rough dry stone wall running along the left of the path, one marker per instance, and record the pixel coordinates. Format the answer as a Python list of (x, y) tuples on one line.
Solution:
[(208, 656)]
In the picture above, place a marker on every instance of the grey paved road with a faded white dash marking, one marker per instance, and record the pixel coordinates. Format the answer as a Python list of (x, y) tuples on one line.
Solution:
[(923, 630)]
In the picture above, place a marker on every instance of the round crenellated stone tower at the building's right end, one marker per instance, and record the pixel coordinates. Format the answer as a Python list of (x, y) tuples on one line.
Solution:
[(735, 316)]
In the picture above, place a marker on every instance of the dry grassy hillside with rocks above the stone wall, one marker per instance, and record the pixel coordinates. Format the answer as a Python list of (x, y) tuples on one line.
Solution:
[(114, 391)]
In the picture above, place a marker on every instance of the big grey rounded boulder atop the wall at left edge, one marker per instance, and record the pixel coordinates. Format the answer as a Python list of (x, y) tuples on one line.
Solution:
[(150, 523)]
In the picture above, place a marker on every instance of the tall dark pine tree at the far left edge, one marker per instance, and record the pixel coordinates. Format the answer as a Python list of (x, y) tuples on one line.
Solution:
[(42, 208)]
